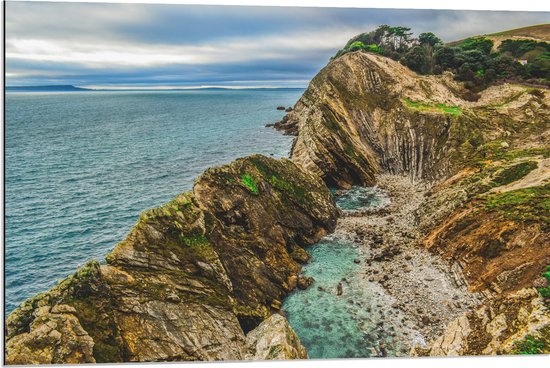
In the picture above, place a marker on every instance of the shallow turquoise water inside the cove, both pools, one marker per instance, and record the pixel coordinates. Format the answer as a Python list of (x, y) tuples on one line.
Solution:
[(358, 323)]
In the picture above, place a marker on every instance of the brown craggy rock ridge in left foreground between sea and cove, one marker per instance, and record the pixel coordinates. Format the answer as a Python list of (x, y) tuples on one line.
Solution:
[(191, 278)]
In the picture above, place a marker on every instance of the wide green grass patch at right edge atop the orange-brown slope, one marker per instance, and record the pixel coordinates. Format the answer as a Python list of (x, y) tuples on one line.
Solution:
[(526, 204)]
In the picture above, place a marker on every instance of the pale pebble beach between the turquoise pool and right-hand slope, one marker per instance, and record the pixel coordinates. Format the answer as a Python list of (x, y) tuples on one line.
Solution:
[(424, 291)]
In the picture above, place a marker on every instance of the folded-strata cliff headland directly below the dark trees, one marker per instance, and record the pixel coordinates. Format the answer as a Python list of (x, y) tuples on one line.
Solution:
[(364, 114)]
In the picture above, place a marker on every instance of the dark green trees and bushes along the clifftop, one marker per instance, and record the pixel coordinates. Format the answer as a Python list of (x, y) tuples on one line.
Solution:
[(472, 60)]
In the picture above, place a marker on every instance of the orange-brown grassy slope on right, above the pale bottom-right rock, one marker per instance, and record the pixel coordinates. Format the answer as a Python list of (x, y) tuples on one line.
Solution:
[(493, 220)]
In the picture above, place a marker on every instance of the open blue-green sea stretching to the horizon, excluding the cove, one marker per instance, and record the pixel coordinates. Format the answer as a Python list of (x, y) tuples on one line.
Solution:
[(81, 166)]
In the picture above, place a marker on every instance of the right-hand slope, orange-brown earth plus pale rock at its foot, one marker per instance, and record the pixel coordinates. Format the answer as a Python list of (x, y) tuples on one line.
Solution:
[(490, 221)]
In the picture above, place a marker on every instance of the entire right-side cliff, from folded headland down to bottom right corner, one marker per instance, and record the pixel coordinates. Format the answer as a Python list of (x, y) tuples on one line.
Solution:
[(486, 214)]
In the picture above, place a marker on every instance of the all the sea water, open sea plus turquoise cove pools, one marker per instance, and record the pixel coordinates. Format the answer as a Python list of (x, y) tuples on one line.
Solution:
[(81, 167)]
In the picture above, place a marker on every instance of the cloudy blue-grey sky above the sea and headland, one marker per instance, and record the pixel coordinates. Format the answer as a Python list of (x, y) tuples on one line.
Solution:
[(100, 45)]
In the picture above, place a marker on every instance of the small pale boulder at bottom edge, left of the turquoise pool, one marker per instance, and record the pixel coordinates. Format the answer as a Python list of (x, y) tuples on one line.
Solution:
[(274, 339)]
